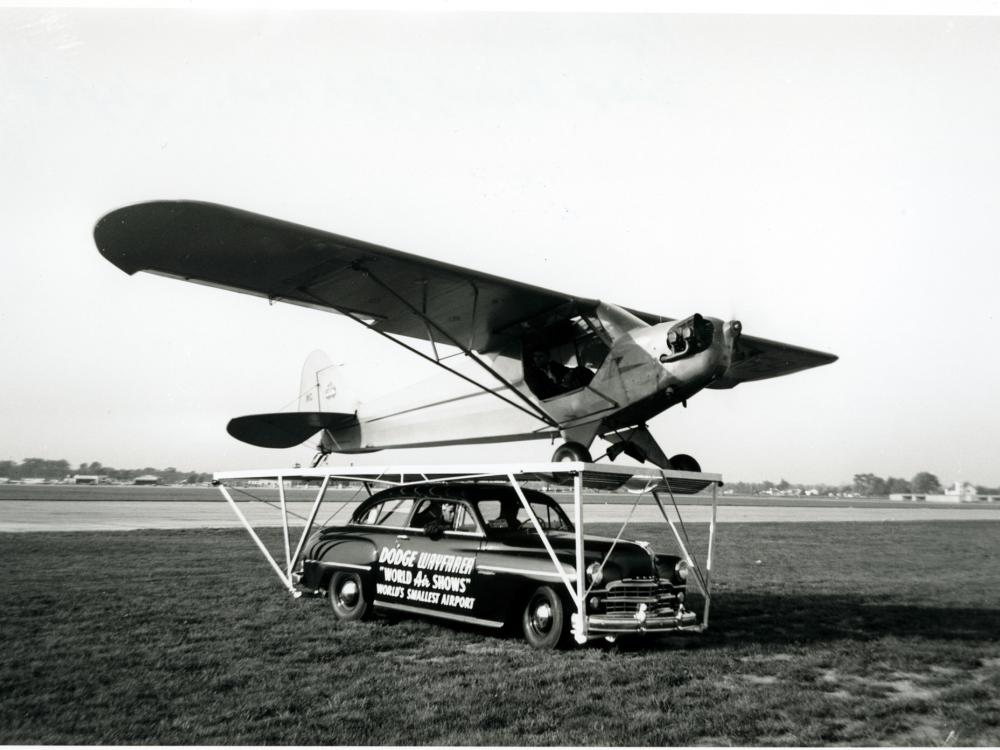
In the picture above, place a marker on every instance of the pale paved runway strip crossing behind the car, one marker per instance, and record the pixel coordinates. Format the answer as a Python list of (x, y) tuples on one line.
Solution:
[(123, 515)]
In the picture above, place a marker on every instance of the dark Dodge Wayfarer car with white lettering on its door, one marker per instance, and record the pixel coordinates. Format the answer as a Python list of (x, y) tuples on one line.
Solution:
[(469, 552)]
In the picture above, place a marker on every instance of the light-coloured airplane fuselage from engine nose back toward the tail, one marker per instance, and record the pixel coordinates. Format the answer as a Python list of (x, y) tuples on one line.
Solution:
[(639, 377)]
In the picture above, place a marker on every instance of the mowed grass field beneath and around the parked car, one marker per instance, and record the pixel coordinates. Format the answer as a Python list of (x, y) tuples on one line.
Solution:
[(820, 634)]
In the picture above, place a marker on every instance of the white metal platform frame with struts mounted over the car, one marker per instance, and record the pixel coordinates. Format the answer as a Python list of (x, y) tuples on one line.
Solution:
[(636, 480)]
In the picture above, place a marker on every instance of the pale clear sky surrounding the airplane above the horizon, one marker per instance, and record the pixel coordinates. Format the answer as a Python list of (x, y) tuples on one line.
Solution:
[(831, 181)]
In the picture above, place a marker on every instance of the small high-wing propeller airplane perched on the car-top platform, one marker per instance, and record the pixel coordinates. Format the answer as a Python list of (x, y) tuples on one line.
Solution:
[(522, 362)]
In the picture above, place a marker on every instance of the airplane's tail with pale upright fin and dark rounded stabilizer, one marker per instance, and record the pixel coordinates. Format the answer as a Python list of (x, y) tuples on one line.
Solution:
[(325, 403)]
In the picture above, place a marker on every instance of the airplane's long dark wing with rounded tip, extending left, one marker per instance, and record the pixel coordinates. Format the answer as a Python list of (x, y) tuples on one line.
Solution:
[(397, 293)]
